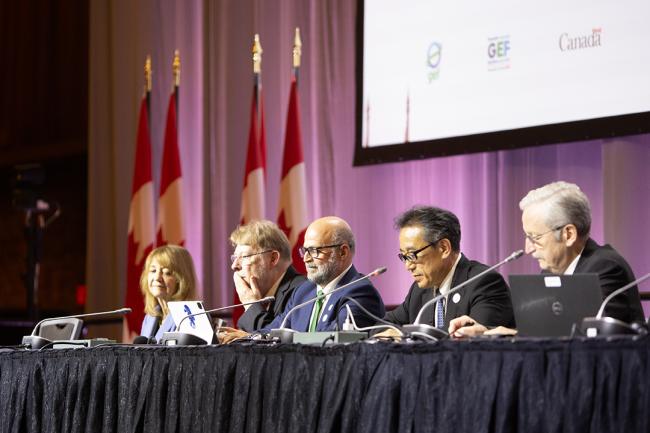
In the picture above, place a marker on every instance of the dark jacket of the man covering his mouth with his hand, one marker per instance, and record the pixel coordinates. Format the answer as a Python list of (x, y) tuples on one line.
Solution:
[(257, 316)]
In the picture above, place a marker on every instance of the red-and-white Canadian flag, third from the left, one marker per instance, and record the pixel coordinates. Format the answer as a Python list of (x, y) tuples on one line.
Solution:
[(253, 202)]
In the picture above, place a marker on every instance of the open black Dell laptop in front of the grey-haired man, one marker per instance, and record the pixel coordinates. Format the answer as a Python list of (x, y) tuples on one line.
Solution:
[(547, 305)]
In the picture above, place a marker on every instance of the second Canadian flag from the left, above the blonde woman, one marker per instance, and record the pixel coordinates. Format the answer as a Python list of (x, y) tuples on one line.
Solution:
[(170, 215)]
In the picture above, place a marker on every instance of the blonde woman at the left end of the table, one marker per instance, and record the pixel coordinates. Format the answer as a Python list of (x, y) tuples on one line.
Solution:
[(168, 275)]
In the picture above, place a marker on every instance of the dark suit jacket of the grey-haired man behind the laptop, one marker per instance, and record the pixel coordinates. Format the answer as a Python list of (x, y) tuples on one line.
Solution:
[(613, 272)]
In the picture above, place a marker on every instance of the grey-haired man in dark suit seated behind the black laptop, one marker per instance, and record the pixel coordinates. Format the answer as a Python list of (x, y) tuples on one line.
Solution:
[(556, 219)]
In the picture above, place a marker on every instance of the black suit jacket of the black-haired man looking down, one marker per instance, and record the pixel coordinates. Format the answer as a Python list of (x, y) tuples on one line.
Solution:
[(486, 300)]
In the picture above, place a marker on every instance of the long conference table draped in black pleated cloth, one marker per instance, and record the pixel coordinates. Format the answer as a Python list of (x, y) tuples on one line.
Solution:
[(505, 385)]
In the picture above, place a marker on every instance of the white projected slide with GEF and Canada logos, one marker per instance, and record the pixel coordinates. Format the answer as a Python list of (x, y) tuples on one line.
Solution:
[(433, 70)]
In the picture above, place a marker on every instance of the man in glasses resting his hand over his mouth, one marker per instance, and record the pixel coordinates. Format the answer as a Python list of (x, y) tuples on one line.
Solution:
[(262, 267)]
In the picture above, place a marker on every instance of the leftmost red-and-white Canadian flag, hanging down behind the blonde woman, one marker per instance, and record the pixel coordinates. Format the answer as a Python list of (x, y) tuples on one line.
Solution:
[(141, 225)]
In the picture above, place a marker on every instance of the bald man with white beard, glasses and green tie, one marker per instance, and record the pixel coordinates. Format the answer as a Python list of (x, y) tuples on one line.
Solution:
[(328, 251)]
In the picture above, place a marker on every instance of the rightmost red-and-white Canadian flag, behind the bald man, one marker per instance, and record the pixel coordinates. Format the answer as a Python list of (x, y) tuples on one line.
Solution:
[(292, 214)]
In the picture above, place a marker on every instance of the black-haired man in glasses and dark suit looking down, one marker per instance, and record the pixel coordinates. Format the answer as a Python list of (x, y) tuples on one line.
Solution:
[(429, 240)]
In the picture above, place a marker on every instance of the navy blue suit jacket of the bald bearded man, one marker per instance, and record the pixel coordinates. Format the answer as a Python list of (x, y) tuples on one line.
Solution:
[(334, 311)]
